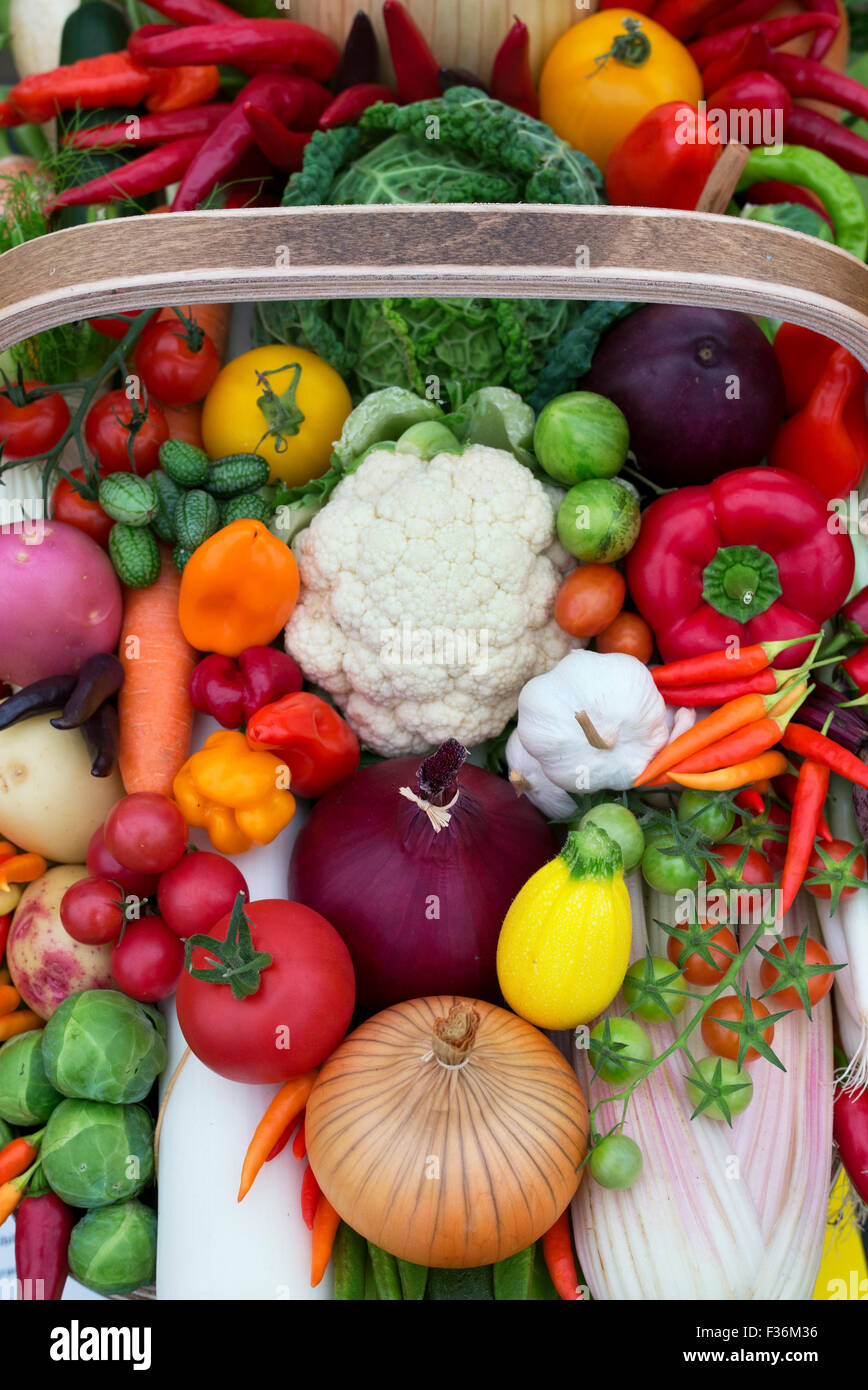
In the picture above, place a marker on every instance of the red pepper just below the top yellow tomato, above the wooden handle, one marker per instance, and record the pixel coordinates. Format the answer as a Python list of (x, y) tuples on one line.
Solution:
[(664, 161)]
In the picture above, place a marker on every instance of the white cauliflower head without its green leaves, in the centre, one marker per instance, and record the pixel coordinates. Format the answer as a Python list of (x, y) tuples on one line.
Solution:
[(428, 591)]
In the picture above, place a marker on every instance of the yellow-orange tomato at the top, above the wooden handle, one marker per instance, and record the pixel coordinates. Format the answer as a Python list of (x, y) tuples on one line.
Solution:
[(595, 105)]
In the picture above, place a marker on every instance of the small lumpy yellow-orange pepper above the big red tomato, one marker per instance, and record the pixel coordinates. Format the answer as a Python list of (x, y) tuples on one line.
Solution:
[(241, 797)]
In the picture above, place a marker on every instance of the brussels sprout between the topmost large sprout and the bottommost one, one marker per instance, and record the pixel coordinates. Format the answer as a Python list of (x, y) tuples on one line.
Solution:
[(95, 1154)]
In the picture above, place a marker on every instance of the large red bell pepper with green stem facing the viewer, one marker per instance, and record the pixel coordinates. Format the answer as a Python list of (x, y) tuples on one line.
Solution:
[(748, 557)]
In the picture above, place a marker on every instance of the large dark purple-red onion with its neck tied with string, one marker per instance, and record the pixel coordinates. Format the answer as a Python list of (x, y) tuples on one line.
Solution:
[(421, 910)]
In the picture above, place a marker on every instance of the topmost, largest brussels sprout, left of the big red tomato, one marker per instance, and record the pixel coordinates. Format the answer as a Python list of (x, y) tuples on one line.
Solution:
[(101, 1046)]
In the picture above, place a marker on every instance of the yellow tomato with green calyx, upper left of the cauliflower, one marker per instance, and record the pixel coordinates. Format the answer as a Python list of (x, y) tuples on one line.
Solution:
[(282, 402)]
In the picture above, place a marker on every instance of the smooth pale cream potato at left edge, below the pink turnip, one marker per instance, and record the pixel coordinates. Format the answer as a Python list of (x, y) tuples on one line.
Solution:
[(49, 801)]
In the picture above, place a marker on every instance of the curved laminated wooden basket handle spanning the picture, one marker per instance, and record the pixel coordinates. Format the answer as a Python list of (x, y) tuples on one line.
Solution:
[(513, 251)]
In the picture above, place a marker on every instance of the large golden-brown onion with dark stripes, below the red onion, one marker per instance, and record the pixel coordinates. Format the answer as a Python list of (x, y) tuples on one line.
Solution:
[(447, 1167)]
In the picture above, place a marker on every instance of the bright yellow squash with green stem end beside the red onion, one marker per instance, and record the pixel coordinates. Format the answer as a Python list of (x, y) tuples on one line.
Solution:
[(565, 943)]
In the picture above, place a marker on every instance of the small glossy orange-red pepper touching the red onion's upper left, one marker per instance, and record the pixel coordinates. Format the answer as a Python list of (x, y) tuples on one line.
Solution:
[(316, 744)]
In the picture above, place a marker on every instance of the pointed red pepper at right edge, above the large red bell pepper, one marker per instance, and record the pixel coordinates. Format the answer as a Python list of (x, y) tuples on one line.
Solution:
[(827, 441)]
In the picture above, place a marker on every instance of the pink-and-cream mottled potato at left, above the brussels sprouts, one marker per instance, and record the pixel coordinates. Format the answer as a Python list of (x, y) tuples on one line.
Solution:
[(47, 964)]
